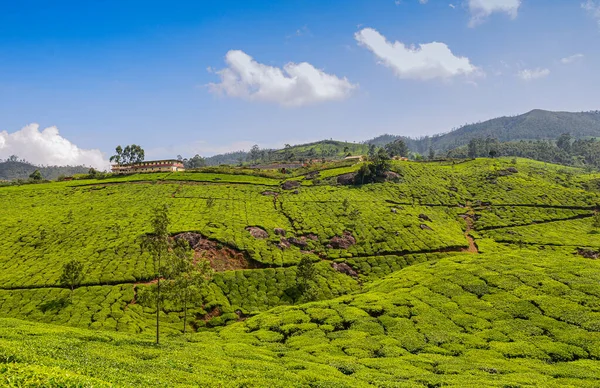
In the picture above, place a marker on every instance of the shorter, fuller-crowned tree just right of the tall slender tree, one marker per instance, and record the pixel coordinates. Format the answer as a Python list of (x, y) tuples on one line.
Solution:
[(186, 276)]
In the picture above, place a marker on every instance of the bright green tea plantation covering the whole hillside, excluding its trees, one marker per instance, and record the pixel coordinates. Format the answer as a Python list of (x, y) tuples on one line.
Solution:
[(456, 274)]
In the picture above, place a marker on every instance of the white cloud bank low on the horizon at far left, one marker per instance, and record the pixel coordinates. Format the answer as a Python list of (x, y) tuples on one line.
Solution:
[(47, 147)]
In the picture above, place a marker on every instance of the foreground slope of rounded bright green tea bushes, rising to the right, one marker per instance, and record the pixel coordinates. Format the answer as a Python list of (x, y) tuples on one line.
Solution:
[(532, 324)]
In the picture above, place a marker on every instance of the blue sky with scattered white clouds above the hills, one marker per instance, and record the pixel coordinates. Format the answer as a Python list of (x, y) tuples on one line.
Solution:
[(213, 76)]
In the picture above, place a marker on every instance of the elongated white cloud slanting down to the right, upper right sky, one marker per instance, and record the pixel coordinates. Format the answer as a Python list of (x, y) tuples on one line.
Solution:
[(426, 62)]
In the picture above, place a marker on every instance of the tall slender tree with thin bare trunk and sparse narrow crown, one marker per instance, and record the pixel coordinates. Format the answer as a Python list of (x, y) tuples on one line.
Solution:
[(158, 244)]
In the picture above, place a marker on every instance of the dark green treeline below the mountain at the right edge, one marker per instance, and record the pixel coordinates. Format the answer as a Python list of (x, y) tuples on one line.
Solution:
[(564, 150)]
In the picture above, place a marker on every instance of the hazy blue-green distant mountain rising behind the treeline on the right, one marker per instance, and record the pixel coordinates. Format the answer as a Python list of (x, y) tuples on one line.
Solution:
[(535, 125)]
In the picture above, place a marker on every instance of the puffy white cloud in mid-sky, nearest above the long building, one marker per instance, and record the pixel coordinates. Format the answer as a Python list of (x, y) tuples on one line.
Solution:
[(294, 85)]
